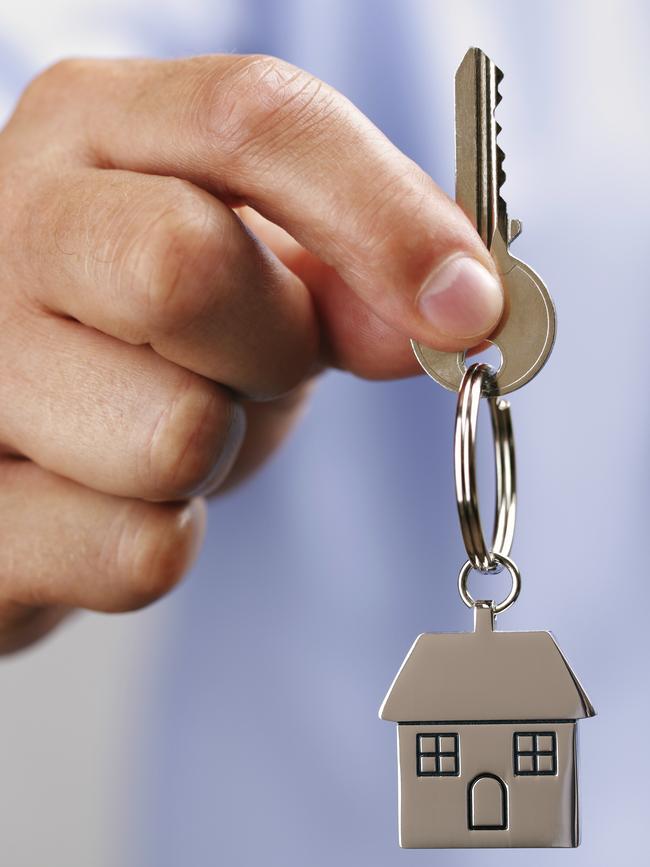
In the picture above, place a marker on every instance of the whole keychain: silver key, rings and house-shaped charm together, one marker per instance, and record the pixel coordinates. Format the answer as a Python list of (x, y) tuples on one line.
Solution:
[(487, 719)]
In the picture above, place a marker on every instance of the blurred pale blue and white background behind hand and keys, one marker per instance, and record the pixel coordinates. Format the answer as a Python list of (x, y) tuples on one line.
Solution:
[(236, 721)]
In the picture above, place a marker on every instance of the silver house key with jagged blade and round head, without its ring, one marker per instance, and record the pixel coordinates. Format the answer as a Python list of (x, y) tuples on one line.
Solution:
[(526, 333)]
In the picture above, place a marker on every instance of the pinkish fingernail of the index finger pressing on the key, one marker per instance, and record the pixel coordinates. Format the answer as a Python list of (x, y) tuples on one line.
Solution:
[(461, 298)]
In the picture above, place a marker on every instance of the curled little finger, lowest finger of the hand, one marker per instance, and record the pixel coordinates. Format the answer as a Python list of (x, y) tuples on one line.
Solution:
[(66, 546)]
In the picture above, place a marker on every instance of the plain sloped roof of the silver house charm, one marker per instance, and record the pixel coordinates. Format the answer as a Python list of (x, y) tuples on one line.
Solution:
[(485, 675)]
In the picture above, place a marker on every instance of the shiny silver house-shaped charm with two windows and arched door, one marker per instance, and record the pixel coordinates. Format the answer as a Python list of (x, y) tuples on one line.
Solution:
[(486, 740)]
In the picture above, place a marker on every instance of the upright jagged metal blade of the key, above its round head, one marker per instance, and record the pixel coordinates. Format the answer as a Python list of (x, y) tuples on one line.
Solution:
[(479, 160)]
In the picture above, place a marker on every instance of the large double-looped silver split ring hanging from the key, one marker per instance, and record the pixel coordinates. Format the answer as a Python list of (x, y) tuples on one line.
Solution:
[(477, 381)]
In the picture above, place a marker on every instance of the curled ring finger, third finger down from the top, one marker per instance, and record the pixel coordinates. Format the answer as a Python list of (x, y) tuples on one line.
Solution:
[(112, 416)]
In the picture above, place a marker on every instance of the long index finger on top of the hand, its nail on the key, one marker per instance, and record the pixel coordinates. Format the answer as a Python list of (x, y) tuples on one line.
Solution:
[(259, 130)]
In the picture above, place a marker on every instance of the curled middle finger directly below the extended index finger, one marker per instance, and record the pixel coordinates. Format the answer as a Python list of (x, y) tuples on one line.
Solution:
[(156, 260)]
